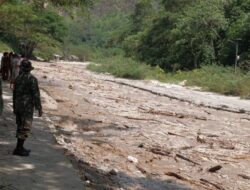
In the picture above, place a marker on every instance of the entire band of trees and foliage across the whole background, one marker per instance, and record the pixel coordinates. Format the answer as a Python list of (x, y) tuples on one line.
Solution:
[(173, 34)]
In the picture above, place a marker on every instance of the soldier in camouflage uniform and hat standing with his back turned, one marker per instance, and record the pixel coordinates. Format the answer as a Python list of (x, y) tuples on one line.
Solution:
[(26, 97)]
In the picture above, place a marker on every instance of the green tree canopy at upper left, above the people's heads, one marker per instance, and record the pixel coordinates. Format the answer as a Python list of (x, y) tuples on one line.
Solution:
[(26, 28)]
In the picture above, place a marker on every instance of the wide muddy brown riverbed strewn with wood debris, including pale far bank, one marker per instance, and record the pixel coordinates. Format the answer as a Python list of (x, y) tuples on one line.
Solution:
[(136, 135)]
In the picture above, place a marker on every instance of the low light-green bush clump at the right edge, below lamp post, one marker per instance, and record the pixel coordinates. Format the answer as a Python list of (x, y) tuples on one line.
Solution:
[(217, 79)]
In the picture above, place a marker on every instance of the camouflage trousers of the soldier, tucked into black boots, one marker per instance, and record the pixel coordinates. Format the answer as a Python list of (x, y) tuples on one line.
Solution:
[(24, 126)]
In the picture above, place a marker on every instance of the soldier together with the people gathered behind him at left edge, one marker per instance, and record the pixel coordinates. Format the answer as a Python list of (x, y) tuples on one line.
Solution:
[(26, 96)]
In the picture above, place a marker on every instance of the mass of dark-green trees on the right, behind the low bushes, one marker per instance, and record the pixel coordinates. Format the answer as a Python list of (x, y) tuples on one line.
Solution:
[(188, 34)]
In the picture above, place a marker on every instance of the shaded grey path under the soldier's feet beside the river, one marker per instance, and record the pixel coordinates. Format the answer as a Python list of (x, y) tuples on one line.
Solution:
[(45, 169)]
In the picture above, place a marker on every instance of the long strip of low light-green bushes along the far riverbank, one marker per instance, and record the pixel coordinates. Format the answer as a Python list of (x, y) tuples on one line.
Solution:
[(210, 77)]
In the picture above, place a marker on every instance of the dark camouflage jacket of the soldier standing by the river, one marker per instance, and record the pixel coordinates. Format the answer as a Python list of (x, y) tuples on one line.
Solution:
[(26, 95)]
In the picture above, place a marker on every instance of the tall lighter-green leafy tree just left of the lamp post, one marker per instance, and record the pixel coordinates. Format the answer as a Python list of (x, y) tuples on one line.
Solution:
[(199, 30)]
